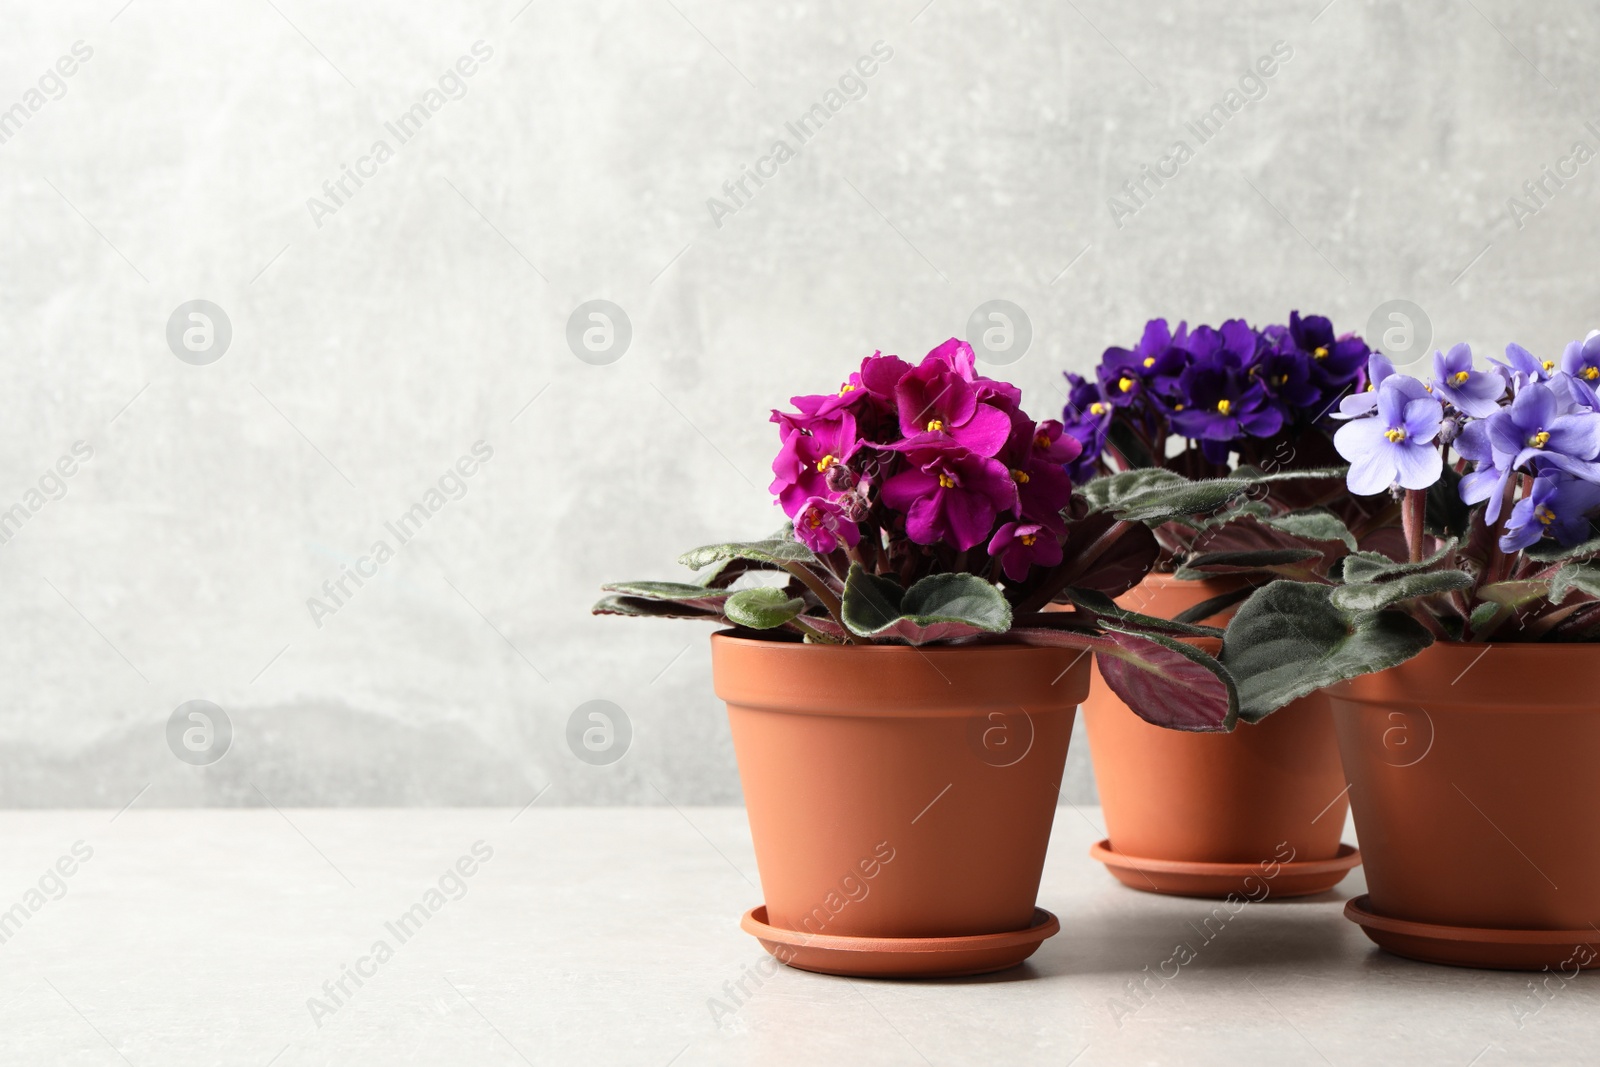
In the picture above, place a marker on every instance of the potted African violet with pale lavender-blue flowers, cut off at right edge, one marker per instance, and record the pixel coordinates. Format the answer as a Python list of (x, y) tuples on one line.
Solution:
[(1462, 677)]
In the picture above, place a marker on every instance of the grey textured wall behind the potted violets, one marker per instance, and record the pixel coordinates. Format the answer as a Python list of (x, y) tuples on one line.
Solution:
[(383, 334)]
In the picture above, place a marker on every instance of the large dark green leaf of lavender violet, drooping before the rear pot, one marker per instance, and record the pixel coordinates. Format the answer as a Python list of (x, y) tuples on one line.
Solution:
[(1290, 639)]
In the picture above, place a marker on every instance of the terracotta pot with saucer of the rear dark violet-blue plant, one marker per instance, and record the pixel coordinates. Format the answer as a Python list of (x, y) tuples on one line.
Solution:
[(1209, 815)]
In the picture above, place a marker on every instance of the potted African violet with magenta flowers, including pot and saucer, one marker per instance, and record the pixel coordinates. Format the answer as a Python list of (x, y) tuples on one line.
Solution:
[(900, 701)]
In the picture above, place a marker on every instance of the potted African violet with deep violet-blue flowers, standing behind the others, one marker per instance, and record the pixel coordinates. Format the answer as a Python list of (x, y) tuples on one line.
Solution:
[(1242, 412)]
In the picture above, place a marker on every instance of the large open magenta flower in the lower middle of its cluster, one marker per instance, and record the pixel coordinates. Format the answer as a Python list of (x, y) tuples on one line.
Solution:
[(951, 495)]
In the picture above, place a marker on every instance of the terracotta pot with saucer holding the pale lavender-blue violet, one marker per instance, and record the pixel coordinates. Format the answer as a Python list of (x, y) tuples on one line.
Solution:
[(1468, 772)]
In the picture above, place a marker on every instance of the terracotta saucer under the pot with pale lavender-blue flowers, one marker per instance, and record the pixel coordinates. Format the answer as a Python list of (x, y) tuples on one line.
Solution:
[(1470, 946)]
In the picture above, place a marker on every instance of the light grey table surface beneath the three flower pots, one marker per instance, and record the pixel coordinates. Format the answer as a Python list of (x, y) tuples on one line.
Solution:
[(610, 937)]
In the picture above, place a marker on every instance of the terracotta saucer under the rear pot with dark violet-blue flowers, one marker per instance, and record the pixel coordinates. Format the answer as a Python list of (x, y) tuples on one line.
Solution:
[(1183, 877)]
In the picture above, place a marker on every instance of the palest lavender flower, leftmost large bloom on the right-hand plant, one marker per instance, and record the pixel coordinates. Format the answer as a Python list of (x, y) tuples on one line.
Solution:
[(1398, 444)]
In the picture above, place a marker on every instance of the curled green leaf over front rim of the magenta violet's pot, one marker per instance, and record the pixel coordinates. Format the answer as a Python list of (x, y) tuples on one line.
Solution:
[(940, 607)]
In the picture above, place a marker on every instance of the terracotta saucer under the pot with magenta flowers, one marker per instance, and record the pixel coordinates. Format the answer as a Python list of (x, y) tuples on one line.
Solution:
[(900, 957)]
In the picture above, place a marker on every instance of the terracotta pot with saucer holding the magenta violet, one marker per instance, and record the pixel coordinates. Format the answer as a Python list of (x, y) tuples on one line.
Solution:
[(898, 794)]
